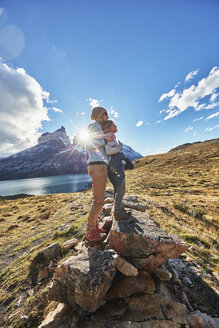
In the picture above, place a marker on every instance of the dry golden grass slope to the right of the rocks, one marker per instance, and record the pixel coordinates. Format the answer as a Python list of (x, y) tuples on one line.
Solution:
[(182, 194)]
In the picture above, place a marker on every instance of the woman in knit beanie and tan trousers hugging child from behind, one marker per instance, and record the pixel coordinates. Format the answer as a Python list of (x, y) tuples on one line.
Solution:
[(97, 169)]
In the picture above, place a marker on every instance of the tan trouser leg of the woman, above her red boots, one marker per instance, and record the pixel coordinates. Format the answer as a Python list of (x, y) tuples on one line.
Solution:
[(98, 174)]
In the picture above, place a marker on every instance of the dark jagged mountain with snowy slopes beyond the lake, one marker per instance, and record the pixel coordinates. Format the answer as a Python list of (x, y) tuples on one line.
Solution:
[(53, 155)]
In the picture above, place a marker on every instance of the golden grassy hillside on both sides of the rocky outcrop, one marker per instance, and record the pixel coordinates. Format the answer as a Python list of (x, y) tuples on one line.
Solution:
[(180, 189)]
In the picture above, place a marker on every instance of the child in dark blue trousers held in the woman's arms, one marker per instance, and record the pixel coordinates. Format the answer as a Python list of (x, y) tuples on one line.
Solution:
[(116, 172)]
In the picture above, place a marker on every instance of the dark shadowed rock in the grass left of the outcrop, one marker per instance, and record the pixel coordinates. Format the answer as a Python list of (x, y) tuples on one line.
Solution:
[(42, 259)]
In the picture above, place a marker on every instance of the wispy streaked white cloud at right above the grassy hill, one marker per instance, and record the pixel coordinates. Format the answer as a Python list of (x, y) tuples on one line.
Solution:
[(192, 96)]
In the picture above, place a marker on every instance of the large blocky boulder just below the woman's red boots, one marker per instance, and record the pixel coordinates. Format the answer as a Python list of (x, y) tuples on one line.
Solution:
[(84, 280)]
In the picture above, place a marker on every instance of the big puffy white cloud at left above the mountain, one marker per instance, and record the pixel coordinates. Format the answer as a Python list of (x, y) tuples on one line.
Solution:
[(22, 109)]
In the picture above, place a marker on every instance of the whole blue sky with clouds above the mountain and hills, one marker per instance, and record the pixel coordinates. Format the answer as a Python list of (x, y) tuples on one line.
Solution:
[(153, 64)]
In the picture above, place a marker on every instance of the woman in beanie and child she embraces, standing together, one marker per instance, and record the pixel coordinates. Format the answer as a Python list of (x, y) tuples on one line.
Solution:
[(100, 147)]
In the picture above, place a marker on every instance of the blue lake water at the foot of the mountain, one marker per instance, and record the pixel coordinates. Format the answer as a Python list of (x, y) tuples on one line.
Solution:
[(46, 185)]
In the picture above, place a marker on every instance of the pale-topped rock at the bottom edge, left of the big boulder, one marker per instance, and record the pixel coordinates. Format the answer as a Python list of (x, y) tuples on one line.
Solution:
[(60, 318)]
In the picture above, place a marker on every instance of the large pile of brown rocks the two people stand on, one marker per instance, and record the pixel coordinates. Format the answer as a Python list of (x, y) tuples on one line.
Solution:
[(137, 281)]
